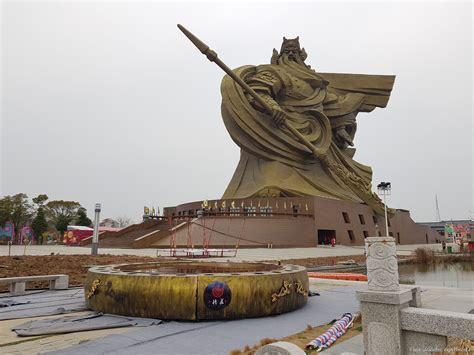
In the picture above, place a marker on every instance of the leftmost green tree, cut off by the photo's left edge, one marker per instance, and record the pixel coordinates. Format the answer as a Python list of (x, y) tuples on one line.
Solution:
[(16, 209)]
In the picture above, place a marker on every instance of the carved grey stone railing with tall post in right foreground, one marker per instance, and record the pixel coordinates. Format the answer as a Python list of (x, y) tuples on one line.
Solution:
[(392, 318)]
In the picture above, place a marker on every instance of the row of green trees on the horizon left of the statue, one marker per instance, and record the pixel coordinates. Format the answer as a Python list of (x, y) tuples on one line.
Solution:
[(41, 213)]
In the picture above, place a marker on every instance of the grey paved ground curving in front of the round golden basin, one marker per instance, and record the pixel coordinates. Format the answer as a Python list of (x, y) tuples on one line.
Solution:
[(187, 337)]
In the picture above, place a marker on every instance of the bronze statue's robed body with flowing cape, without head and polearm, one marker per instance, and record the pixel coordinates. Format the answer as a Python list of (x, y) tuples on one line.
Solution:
[(275, 163)]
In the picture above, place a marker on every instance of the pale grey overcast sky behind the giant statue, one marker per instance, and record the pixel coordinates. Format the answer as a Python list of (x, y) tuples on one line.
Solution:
[(108, 102)]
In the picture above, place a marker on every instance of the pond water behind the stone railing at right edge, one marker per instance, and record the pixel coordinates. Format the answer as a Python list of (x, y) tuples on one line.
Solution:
[(460, 275)]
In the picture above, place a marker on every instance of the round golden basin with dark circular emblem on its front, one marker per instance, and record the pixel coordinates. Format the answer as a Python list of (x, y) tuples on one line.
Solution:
[(189, 290)]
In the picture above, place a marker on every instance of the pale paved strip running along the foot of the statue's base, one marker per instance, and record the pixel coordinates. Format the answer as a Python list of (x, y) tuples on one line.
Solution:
[(254, 254)]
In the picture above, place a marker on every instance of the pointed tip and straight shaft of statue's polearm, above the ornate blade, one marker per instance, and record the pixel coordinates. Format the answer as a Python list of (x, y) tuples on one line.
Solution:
[(212, 56)]
